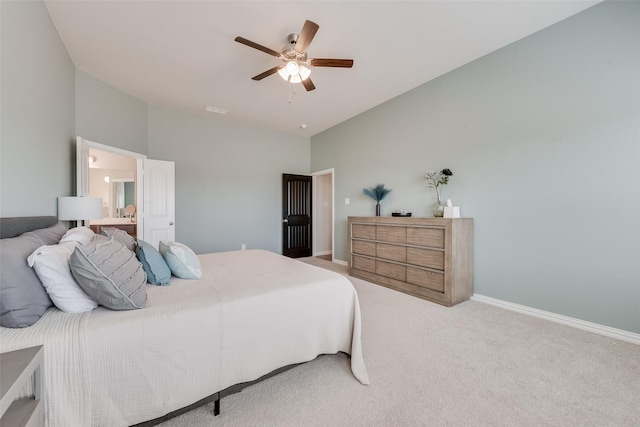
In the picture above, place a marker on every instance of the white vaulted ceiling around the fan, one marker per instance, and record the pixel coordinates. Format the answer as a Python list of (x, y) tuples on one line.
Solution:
[(182, 54)]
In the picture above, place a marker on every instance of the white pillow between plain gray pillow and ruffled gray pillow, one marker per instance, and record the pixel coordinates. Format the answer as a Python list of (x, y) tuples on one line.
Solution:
[(51, 263)]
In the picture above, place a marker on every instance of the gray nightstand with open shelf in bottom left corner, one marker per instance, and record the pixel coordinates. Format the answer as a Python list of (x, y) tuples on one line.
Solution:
[(16, 369)]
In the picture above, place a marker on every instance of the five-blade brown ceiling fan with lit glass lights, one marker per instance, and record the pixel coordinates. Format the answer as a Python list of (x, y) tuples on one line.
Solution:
[(294, 67)]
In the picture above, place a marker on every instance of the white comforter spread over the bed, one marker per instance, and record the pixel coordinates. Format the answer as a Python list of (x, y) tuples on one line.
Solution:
[(252, 312)]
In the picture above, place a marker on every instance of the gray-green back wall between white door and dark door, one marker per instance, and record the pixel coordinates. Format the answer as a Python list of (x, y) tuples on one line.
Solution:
[(228, 179)]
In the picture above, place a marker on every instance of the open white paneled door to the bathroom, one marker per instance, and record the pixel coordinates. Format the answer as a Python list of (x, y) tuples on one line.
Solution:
[(159, 201)]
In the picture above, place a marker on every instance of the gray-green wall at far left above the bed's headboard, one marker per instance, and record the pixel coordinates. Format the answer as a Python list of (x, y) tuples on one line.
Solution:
[(37, 112)]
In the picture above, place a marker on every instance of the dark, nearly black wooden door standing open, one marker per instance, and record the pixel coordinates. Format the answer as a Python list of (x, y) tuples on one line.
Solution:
[(296, 215)]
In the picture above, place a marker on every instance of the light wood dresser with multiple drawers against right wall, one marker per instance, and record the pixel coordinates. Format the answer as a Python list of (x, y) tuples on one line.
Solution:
[(431, 258)]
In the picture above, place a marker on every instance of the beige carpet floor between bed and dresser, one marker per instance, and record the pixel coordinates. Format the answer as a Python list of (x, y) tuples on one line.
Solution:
[(469, 365)]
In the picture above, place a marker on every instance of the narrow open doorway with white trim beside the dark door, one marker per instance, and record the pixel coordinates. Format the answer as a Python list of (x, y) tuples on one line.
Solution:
[(323, 213)]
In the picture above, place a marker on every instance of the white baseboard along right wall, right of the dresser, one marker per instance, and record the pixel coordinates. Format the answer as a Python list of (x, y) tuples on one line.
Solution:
[(565, 320)]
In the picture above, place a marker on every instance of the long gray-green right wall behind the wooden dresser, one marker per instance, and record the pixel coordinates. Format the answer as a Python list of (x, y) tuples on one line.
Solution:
[(543, 137)]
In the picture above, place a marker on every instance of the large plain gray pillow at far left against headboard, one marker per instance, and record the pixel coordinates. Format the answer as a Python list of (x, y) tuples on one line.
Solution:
[(23, 299)]
